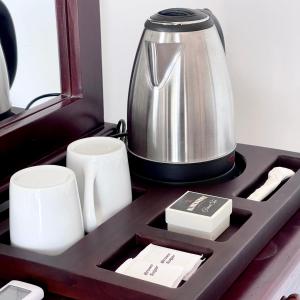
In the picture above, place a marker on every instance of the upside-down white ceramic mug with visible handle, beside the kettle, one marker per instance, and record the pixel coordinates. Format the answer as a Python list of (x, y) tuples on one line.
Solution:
[(102, 172)]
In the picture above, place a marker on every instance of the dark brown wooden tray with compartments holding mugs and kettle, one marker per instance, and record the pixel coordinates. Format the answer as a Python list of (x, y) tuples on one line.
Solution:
[(86, 271)]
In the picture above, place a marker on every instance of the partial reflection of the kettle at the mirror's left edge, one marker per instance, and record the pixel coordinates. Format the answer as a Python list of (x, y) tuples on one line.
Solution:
[(8, 59)]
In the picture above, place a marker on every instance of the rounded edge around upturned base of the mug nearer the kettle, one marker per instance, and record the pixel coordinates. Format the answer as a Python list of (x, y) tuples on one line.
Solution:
[(74, 144)]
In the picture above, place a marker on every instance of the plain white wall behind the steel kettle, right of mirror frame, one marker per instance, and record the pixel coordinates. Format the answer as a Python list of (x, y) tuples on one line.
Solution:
[(263, 52)]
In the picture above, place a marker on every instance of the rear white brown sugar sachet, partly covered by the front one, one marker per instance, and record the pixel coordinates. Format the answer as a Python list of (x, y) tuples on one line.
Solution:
[(166, 256)]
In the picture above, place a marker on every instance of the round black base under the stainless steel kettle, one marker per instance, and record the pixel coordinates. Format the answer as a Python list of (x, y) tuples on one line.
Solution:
[(222, 169)]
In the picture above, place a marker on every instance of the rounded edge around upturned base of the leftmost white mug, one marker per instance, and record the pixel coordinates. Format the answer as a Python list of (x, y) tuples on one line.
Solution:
[(70, 178)]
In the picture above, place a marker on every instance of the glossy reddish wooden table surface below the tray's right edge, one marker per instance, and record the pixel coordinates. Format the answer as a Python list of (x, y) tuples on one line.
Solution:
[(276, 270)]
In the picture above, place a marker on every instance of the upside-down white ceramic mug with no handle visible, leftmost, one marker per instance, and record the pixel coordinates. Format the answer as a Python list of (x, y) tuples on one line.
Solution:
[(44, 208)]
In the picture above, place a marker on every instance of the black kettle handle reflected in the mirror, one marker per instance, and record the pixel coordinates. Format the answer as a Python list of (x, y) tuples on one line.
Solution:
[(8, 42)]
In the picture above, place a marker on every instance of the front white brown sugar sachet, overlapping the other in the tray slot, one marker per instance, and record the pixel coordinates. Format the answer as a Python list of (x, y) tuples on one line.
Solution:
[(169, 276)]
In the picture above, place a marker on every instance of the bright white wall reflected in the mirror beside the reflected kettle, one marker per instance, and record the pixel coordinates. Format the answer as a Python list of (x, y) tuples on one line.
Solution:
[(37, 71)]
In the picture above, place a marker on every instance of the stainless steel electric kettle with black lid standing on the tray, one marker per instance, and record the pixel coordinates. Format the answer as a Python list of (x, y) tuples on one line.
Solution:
[(180, 104)]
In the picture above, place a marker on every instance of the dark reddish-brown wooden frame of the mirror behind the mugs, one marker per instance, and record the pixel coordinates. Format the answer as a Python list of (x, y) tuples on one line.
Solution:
[(41, 134)]
